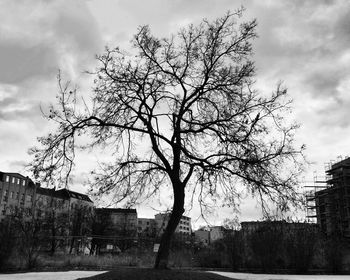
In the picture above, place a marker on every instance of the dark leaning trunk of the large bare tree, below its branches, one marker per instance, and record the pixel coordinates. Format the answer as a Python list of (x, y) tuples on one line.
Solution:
[(176, 214)]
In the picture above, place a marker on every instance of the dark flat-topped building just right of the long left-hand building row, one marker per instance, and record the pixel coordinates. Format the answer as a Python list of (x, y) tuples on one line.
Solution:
[(123, 222)]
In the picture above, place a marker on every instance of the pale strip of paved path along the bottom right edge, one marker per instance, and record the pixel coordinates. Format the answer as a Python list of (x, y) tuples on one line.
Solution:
[(250, 276)]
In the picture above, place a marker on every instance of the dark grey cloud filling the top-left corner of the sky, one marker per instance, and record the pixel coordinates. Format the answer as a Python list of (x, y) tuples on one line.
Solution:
[(39, 37)]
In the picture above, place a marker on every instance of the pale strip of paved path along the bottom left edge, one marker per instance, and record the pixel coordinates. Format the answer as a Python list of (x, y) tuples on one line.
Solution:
[(62, 275)]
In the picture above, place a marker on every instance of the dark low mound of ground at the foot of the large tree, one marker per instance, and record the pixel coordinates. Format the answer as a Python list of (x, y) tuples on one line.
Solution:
[(126, 273)]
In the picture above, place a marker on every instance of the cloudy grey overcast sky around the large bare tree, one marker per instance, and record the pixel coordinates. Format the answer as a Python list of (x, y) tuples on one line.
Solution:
[(305, 44)]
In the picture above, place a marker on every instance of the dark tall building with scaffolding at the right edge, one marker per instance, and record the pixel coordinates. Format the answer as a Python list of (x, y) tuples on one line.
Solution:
[(333, 202)]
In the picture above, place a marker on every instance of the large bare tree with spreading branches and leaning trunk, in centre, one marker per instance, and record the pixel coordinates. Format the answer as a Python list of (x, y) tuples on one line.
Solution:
[(179, 112)]
